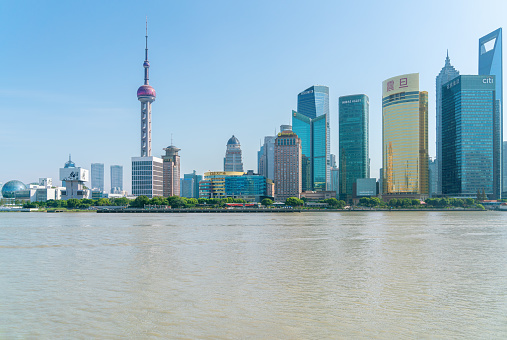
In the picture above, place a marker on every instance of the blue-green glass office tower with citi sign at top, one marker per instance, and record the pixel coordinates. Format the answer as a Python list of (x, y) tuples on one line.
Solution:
[(468, 134)]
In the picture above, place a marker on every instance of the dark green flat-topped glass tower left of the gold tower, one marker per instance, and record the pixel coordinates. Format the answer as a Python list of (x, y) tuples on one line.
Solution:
[(353, 142)]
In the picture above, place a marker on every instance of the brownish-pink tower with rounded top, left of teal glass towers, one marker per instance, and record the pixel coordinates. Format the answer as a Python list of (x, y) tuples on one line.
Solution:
[(287, 166)]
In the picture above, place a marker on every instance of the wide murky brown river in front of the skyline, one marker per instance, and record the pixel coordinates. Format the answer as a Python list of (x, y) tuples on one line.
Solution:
[(321, 275)]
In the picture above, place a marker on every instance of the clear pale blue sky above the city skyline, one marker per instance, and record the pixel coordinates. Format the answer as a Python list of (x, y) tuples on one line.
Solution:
[(70, 71)]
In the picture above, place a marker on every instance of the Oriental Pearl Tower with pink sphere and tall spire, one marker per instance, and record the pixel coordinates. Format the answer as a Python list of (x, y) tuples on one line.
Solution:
[(146, 95)]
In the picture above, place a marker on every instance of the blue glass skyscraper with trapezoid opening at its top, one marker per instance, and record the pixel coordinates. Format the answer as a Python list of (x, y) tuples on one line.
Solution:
[(490, 63)]
